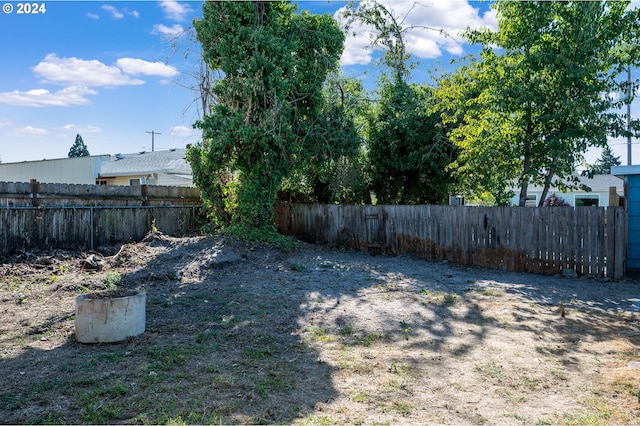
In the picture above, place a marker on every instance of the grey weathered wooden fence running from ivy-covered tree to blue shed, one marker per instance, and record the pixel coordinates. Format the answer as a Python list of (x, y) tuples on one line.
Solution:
[(589, 240)]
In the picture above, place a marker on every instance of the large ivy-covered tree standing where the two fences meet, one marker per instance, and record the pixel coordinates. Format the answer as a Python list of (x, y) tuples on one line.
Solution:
[(268, 103)]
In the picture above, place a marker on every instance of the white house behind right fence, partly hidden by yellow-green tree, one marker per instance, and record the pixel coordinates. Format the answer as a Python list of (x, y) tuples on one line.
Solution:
[(598, 196)]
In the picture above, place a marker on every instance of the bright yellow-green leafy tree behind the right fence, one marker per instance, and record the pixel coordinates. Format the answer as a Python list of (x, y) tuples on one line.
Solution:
[(539, 97)]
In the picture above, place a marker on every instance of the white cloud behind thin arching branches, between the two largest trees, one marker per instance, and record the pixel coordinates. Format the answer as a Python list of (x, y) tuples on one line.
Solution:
[(425, 40)]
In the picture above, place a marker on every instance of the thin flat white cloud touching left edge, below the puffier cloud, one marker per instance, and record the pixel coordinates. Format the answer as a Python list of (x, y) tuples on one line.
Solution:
[(73, 95)]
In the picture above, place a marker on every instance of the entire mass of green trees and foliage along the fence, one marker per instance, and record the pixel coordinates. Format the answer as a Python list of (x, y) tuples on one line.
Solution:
[(280, 118)]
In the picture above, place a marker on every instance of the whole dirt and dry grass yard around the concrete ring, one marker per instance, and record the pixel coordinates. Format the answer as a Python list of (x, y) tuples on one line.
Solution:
[(237, 333)]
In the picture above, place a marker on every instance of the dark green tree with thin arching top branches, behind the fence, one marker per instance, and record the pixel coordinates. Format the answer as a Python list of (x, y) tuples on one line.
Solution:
[(408, 151)]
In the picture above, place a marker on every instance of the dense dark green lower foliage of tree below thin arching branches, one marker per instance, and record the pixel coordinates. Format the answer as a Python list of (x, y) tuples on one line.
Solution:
[(408, 151)]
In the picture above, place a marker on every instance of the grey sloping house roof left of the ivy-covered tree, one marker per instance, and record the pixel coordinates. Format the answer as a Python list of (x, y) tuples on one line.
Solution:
[(167, 162)]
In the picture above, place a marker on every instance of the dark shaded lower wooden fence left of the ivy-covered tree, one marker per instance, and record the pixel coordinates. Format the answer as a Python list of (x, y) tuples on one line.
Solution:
[(90, 226)]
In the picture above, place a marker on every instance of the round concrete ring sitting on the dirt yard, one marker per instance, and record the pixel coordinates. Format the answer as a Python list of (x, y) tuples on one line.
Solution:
[(110, 316)]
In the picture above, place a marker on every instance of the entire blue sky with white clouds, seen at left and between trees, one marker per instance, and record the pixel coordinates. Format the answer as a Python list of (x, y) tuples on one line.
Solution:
[(109, 71)]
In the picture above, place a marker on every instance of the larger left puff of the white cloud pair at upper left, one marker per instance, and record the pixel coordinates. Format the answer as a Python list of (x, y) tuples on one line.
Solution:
[(81, 72)]
